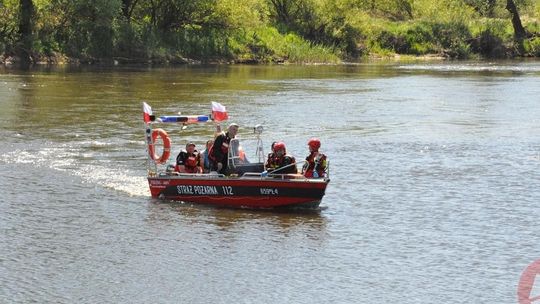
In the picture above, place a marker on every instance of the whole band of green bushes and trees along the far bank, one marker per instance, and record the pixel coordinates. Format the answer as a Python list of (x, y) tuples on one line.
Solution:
[(116, 32)]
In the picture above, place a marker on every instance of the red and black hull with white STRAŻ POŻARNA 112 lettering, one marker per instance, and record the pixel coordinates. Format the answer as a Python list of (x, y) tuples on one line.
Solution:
[(240, 192)]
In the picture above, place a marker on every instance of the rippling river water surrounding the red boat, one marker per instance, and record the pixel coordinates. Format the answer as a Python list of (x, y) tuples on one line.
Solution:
[(434, 195)]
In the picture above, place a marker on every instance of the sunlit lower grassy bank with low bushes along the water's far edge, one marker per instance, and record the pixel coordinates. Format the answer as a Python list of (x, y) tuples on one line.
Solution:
[(267, 45)]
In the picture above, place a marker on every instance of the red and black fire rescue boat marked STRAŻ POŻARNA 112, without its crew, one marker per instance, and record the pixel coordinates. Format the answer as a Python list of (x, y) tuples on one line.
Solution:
[(247, 186)]
